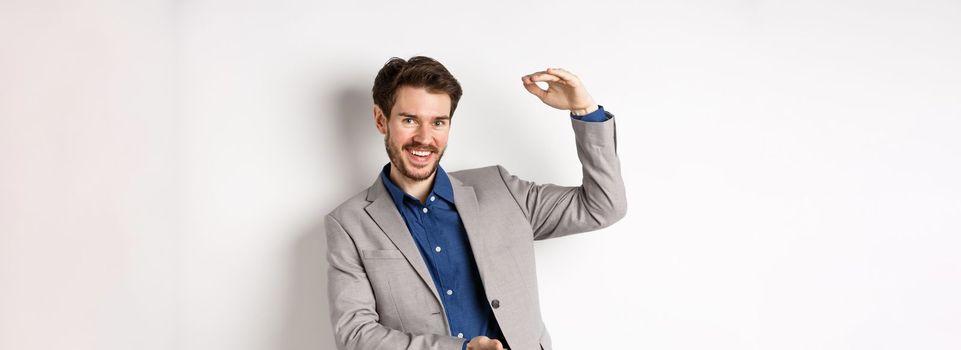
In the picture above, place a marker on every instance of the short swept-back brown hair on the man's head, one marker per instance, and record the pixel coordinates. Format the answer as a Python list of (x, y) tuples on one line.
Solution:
[(418, 71)]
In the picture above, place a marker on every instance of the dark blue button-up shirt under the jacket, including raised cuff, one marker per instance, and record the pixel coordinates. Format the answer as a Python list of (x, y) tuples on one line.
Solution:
[(442, 241)]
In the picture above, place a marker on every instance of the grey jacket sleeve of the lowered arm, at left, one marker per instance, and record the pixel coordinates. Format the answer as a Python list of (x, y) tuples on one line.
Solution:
[(353, 308)]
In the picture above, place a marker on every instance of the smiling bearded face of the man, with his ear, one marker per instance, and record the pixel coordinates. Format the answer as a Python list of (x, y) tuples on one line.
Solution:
[(415, 135)]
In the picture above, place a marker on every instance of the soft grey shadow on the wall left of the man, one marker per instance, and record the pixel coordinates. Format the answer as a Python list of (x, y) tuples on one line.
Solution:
[(307, 315)]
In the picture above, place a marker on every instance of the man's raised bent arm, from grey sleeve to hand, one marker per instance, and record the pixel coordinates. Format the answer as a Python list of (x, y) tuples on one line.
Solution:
[(552, 210)]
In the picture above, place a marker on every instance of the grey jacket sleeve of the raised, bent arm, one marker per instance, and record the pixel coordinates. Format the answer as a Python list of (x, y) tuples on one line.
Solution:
[(600, 200)]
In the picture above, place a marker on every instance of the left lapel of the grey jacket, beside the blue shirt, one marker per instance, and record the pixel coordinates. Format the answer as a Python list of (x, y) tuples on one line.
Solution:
[(385, 214)]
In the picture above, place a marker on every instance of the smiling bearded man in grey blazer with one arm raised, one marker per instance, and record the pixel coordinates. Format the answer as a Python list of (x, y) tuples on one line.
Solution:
[(425, 259)]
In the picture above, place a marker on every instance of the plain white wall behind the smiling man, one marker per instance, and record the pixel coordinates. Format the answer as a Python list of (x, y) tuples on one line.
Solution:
[(791, 166)]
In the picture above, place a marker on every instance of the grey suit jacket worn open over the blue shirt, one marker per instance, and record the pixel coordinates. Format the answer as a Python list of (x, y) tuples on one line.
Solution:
[(381, 293)]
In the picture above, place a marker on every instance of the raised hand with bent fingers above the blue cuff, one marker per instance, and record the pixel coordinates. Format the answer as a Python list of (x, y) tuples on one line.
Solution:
[(564, 91)]
